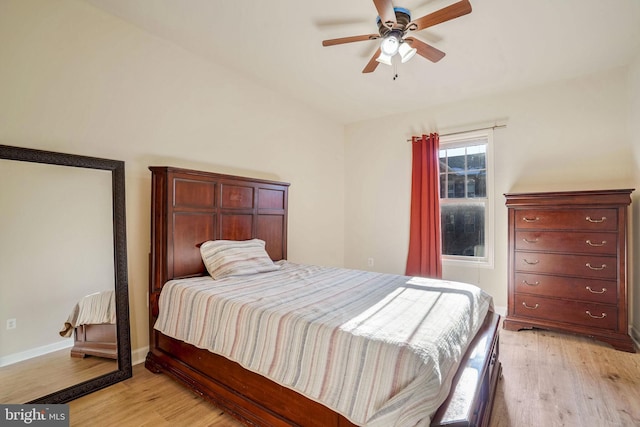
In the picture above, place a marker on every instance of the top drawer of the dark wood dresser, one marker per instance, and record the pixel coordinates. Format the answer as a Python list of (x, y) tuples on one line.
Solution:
[(567, 219)]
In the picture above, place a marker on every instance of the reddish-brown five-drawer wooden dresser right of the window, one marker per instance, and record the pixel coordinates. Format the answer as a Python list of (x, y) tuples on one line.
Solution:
[(568, 263)]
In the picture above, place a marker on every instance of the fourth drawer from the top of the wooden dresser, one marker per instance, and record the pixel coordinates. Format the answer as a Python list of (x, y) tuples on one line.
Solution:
[(593, 290)]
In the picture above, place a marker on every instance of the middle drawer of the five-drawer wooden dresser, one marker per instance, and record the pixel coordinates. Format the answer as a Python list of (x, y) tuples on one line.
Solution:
[(589, 266)]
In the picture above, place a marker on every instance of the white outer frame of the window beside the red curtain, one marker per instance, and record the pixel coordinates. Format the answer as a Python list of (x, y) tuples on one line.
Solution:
[(461, 139)]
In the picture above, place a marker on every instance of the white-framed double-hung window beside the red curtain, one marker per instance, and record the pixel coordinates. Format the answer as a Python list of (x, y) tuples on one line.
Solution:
[(466, 214)]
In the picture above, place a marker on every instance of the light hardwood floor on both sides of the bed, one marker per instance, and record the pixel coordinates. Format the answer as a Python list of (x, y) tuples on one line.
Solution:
[(549, 379)]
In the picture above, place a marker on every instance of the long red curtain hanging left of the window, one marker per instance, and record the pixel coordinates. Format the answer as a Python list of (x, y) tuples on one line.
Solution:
[(424, 234)]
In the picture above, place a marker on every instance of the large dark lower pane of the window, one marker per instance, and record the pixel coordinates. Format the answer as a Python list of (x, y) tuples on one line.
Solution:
[(463, 229)]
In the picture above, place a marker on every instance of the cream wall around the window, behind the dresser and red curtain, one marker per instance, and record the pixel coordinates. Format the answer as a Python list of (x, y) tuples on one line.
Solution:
[(570, 135)]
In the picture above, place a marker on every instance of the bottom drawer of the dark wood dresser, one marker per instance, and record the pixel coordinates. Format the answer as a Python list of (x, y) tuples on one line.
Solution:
[(575, 312)]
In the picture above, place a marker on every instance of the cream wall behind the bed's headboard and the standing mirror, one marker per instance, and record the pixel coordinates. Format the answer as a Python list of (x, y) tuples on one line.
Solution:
[(74, 79)]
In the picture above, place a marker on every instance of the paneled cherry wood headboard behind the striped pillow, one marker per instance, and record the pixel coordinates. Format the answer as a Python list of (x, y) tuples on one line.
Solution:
[(190, 207)]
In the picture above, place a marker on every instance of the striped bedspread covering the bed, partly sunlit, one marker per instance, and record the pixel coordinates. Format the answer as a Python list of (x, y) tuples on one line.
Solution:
[(380, 349)]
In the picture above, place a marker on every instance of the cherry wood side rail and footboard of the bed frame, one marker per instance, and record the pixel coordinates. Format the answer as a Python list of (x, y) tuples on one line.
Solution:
[(255, 400)]
